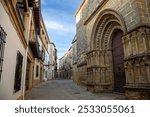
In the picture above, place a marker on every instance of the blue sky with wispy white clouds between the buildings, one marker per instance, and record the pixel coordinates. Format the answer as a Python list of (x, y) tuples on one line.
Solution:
[(59, 19)]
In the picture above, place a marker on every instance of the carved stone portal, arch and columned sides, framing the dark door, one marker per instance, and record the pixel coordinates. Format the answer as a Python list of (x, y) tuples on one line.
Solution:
[(135, 62)]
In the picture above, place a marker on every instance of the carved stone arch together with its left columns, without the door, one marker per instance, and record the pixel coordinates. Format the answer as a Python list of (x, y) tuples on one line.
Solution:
[(100, 64)]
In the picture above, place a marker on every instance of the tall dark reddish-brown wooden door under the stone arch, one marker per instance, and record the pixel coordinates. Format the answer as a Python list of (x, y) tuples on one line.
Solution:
[(118, 63)]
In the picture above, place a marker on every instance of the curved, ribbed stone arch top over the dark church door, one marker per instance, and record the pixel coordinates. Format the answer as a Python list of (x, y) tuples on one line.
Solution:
[(108, 20)]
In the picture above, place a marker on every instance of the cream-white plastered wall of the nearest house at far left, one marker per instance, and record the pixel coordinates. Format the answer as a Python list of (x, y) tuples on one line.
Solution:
[(14, 49)]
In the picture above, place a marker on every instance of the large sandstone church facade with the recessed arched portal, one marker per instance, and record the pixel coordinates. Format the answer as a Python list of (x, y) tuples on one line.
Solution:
[(113, 46)]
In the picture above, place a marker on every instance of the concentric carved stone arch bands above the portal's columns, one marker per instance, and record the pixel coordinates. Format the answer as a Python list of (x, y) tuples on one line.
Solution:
[(105, 17)]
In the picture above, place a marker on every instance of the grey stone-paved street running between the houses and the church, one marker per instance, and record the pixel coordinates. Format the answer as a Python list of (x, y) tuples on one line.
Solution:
[(67, 90)]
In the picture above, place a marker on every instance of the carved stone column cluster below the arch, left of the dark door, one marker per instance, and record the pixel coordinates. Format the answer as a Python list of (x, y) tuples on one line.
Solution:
[(99, 72)]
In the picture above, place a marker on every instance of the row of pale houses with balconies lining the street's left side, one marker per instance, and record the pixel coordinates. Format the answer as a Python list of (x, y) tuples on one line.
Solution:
[(24, 48)]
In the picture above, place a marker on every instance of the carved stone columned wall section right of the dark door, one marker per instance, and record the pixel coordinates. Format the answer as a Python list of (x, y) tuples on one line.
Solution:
[(137, 63)]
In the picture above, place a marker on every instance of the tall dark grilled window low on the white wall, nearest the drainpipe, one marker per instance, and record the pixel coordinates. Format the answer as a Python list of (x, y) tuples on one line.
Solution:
[(18, 73)]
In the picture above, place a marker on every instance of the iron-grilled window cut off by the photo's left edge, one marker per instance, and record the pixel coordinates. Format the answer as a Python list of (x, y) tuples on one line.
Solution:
[(2, 47)]
